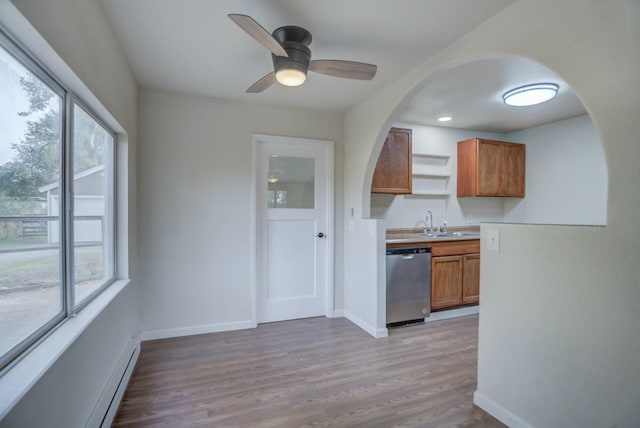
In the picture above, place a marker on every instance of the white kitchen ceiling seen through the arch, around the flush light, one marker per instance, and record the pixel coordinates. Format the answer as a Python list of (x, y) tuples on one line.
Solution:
[(472, 95)]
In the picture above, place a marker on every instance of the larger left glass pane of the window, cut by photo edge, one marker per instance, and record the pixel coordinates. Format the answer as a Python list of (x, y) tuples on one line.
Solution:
[(30, 245)]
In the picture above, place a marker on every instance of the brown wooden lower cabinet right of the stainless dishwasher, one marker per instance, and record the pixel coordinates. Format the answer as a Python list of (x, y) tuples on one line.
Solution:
[(455, 273)]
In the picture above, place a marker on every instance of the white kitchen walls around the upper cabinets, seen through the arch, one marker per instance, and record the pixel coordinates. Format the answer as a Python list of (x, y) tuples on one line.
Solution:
[(566, 179)]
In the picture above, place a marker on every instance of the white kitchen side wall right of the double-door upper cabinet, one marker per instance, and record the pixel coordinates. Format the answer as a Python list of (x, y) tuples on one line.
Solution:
[(566, 175)]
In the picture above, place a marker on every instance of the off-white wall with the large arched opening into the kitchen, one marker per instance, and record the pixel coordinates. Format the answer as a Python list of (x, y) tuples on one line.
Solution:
[(559, 313)]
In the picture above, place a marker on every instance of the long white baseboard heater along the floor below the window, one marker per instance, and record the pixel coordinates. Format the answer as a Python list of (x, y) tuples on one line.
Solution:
[(107, 405)]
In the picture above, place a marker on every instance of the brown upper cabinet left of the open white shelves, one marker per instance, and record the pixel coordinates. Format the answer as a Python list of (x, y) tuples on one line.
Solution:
[(393, 170)]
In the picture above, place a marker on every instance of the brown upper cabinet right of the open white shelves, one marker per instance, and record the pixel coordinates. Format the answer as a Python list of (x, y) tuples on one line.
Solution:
[(490, 168)]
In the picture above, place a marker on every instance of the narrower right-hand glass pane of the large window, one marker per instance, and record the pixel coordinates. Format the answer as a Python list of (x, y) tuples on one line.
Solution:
[(93, 196)]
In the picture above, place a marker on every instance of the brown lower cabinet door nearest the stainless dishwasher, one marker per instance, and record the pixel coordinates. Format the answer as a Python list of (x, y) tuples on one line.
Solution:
[(446, 281)]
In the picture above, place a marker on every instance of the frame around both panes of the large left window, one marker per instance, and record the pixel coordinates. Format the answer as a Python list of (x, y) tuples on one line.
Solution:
[(66, 182)]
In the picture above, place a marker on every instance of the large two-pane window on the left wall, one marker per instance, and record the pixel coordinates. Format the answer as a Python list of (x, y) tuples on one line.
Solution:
[(57, 225)]
